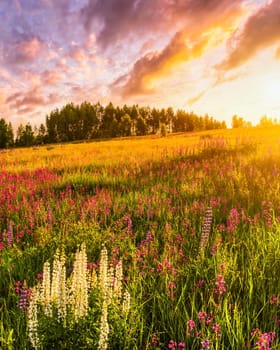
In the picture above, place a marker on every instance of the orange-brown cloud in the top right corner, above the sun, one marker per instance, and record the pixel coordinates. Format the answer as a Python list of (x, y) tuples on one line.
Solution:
[(261, 30)]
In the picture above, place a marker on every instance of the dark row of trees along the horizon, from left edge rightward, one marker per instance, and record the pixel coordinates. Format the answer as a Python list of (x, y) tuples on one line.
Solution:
[(93, 121)]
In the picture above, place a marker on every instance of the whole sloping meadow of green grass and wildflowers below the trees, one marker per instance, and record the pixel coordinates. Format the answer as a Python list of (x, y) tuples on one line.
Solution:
[(142, 243)]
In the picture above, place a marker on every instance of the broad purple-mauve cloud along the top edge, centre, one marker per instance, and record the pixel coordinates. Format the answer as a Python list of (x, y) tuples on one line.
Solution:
[(120, 20)]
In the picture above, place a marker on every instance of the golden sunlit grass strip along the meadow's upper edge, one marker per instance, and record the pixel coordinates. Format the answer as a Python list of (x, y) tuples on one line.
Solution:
[(123, 150)]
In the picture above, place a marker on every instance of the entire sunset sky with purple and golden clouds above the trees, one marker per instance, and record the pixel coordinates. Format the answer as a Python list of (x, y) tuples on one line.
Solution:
[(220, 57)]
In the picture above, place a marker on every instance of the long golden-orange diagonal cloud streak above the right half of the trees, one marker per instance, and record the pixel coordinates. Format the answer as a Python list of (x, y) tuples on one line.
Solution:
[(187, 44)]
